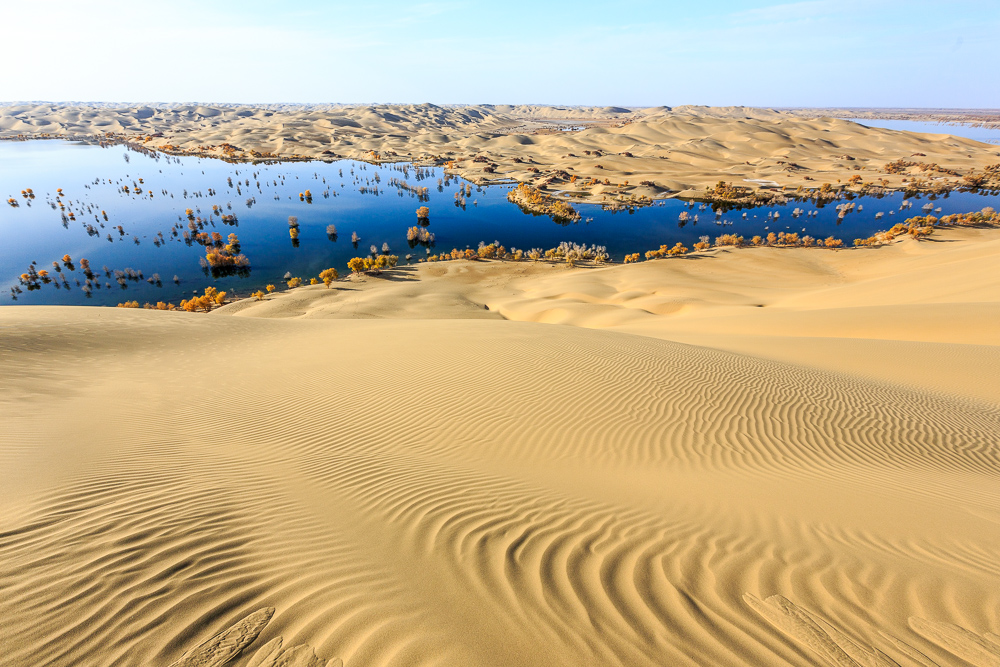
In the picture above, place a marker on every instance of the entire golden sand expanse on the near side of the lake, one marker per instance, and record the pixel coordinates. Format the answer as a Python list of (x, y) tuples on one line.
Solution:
[(752, 457)]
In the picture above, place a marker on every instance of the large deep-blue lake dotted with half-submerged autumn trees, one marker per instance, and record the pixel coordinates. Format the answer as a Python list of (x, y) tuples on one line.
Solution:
[(92, 177)]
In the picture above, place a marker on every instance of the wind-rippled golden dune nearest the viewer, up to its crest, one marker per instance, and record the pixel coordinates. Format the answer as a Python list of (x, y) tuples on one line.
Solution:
[(491, 493)]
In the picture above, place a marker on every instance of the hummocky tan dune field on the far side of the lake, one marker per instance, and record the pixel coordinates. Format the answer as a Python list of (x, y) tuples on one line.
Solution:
[(617, 155)]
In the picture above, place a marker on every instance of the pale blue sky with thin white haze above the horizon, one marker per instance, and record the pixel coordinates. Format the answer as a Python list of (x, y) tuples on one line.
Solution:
[(816, 53)]
